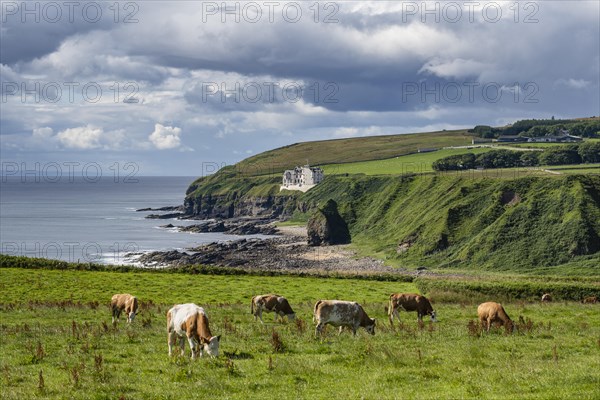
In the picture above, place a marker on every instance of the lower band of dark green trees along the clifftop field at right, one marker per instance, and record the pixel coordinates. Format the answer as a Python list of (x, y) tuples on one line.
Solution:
[(586, 152)]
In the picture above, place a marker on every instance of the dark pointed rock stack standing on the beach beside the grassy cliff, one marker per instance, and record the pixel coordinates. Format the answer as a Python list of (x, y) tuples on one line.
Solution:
[(326, 226)]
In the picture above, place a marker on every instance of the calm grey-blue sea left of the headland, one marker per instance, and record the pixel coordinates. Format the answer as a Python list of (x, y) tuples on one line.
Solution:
[(76, 220)]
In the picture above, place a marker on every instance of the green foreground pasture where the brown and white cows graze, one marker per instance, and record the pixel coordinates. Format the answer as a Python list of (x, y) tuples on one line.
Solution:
[(57, 342)]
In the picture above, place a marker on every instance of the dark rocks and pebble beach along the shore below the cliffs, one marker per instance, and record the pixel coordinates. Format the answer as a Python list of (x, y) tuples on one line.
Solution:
[(285, 250)]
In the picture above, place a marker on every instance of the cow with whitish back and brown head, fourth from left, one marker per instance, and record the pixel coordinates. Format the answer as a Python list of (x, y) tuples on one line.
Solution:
[(341, 313)]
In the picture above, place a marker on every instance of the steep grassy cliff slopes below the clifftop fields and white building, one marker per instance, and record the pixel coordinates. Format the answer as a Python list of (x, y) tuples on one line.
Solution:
[(436, 220)]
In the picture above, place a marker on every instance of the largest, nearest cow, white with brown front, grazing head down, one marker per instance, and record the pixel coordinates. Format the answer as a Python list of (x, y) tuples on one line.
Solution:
[(191, 321)]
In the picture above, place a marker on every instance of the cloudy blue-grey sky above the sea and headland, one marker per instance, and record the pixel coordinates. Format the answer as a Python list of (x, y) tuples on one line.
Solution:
[(171, 85)]
